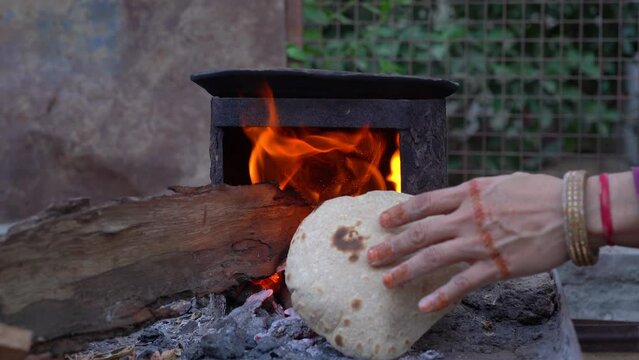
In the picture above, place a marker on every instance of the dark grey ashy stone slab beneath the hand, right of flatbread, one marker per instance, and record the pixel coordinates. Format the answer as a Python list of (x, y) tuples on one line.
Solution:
[(523, 318)]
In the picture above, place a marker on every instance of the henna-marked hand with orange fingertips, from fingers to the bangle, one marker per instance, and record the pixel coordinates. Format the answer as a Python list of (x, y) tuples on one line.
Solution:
[(504, 226)]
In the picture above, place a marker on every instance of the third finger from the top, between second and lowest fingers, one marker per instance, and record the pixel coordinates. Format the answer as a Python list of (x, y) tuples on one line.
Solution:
[(427, 260)]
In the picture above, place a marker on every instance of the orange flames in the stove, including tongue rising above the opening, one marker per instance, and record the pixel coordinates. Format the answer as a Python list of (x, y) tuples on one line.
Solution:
[(319, 164)]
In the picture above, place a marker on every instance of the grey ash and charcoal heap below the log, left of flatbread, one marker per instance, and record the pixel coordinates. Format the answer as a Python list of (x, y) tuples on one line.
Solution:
[(250, 331)]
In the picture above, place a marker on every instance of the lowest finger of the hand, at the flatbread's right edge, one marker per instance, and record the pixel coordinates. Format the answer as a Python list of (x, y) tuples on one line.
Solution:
[(480, 274)]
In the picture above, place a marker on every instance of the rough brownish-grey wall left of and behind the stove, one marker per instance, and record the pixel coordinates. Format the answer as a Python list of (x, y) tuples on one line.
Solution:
[(95, 96)]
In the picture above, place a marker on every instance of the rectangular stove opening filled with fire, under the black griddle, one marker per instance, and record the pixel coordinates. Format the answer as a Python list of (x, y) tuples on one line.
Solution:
[(318, 163)]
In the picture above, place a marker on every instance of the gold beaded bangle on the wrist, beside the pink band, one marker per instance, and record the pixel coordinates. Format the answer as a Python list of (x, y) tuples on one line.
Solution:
[(579, 249)]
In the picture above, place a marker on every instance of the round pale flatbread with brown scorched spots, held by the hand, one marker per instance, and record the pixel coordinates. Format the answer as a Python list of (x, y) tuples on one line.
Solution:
[(340, 296)]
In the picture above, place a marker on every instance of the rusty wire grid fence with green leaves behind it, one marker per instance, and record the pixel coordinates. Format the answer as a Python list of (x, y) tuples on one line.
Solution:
[(544, 85)]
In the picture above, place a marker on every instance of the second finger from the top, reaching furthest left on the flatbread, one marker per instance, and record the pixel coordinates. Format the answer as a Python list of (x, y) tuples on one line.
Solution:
[(419, 234)]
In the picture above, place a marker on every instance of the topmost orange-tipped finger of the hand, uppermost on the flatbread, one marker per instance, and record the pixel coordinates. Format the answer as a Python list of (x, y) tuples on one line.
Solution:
[(429, 203)]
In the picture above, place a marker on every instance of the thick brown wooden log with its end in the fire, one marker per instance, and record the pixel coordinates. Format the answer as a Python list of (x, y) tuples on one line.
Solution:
[(78, 270)]
